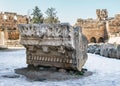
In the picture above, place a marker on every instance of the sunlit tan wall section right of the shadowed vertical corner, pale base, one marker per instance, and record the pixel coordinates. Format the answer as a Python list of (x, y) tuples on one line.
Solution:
[(114, 30)]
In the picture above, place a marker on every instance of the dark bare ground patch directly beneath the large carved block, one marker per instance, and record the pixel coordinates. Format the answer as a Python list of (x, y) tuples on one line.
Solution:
[(51, 74)]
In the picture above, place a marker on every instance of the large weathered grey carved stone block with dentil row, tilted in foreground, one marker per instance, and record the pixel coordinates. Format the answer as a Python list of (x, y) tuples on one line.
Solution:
[(56, 45)]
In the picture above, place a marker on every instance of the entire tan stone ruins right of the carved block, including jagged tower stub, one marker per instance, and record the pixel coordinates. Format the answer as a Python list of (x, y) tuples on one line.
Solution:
[(102, 29)]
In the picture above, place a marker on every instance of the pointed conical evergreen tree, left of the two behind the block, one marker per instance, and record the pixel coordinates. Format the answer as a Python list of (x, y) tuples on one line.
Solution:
[(37, 15)]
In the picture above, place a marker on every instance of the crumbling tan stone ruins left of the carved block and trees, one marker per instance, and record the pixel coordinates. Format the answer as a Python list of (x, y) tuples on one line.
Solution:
[(9, 35)]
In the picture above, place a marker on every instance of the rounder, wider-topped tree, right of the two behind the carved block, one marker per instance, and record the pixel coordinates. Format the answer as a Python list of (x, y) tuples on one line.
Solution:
[(51, 16)]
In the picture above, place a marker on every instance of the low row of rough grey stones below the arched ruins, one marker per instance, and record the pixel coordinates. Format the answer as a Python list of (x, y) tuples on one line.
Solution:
[(106, 50)]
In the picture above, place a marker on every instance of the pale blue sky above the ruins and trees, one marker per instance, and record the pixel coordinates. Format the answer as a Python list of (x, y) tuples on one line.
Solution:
[(67, 10)]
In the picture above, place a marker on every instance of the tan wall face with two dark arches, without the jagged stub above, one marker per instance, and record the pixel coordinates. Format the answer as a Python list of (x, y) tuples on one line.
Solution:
[(93, 30)]
